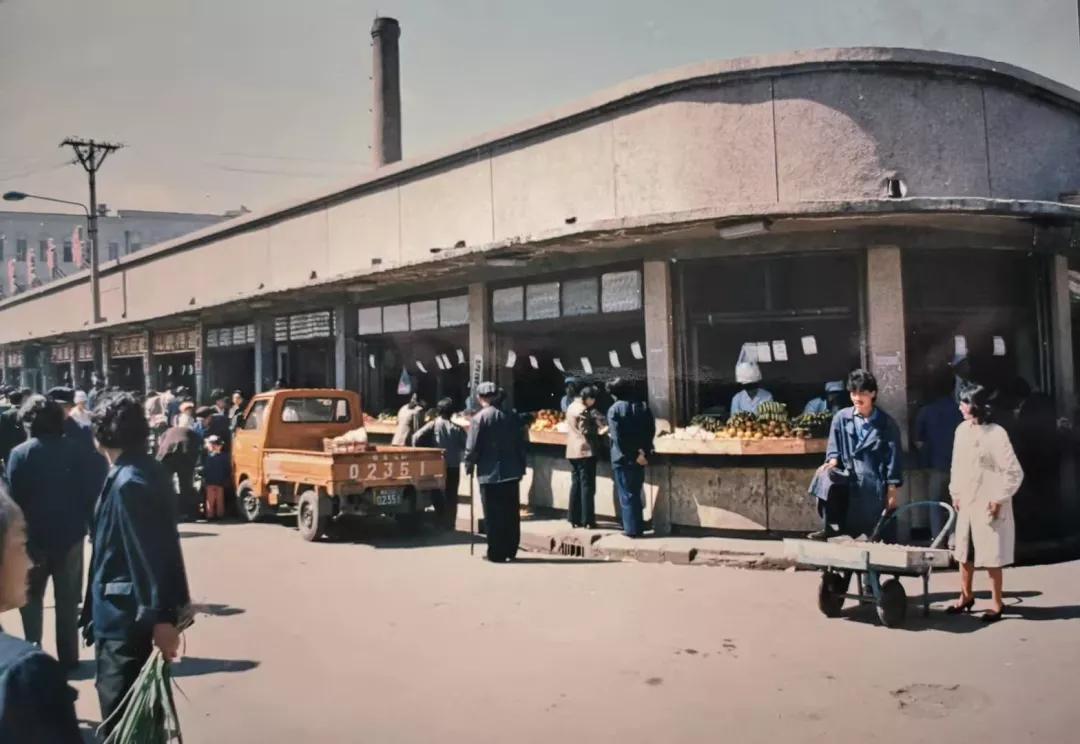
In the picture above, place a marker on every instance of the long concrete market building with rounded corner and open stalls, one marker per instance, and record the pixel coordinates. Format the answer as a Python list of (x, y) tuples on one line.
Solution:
[(879, 208)]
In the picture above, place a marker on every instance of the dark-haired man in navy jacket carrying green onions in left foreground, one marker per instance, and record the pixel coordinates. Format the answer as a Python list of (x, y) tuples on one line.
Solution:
[(138, 589)]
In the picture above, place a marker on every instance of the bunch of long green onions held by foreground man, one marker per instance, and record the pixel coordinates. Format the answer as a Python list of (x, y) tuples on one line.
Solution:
[(147, 714)]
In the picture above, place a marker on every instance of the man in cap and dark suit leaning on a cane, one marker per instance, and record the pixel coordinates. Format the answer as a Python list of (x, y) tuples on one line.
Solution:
[(496, 453)]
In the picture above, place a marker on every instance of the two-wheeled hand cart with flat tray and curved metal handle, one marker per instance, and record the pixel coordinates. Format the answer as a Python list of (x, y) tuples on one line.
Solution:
[(870, 560)]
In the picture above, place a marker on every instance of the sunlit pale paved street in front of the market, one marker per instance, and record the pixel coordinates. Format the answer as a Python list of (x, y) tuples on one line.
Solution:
[(386, 641)]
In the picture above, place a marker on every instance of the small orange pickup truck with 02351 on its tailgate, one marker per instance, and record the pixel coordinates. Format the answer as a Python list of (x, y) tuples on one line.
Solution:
[(280, 458)]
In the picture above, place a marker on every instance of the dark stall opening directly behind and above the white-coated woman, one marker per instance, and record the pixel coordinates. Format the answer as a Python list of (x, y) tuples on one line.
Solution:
[(981, 305)]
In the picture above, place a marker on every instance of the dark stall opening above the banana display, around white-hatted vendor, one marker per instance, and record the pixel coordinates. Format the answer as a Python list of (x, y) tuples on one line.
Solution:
[(799, 316)]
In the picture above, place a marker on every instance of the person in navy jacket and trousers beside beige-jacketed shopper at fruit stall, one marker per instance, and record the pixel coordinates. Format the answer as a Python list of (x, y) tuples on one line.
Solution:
[(632, 428)]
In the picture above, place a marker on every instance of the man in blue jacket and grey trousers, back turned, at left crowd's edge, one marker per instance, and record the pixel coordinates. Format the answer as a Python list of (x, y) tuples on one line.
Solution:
[(49, 481)]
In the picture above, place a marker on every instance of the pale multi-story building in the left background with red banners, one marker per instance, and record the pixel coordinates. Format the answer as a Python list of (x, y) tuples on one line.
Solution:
[(24, 235)]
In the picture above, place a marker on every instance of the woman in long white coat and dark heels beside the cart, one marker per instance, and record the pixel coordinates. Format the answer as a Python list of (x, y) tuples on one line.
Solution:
[(985, 477)]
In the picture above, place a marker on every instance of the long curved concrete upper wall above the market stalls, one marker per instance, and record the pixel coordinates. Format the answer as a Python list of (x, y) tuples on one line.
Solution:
[(736, 136)]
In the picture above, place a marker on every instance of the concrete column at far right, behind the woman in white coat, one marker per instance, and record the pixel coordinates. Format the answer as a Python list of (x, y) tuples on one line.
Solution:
[(1061, 319)]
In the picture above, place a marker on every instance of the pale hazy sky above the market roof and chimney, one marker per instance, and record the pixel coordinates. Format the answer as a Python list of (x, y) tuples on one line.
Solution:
[(229, 103)]
